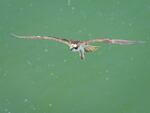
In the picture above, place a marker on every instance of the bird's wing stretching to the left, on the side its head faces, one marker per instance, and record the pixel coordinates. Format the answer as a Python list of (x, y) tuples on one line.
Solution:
[(61, 40)]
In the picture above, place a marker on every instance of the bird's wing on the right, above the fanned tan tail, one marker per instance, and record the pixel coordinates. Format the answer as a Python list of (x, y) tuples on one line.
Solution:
[(113, 41)]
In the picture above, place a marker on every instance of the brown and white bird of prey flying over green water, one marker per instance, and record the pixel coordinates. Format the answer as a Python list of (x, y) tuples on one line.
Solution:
[(81, 47)]
